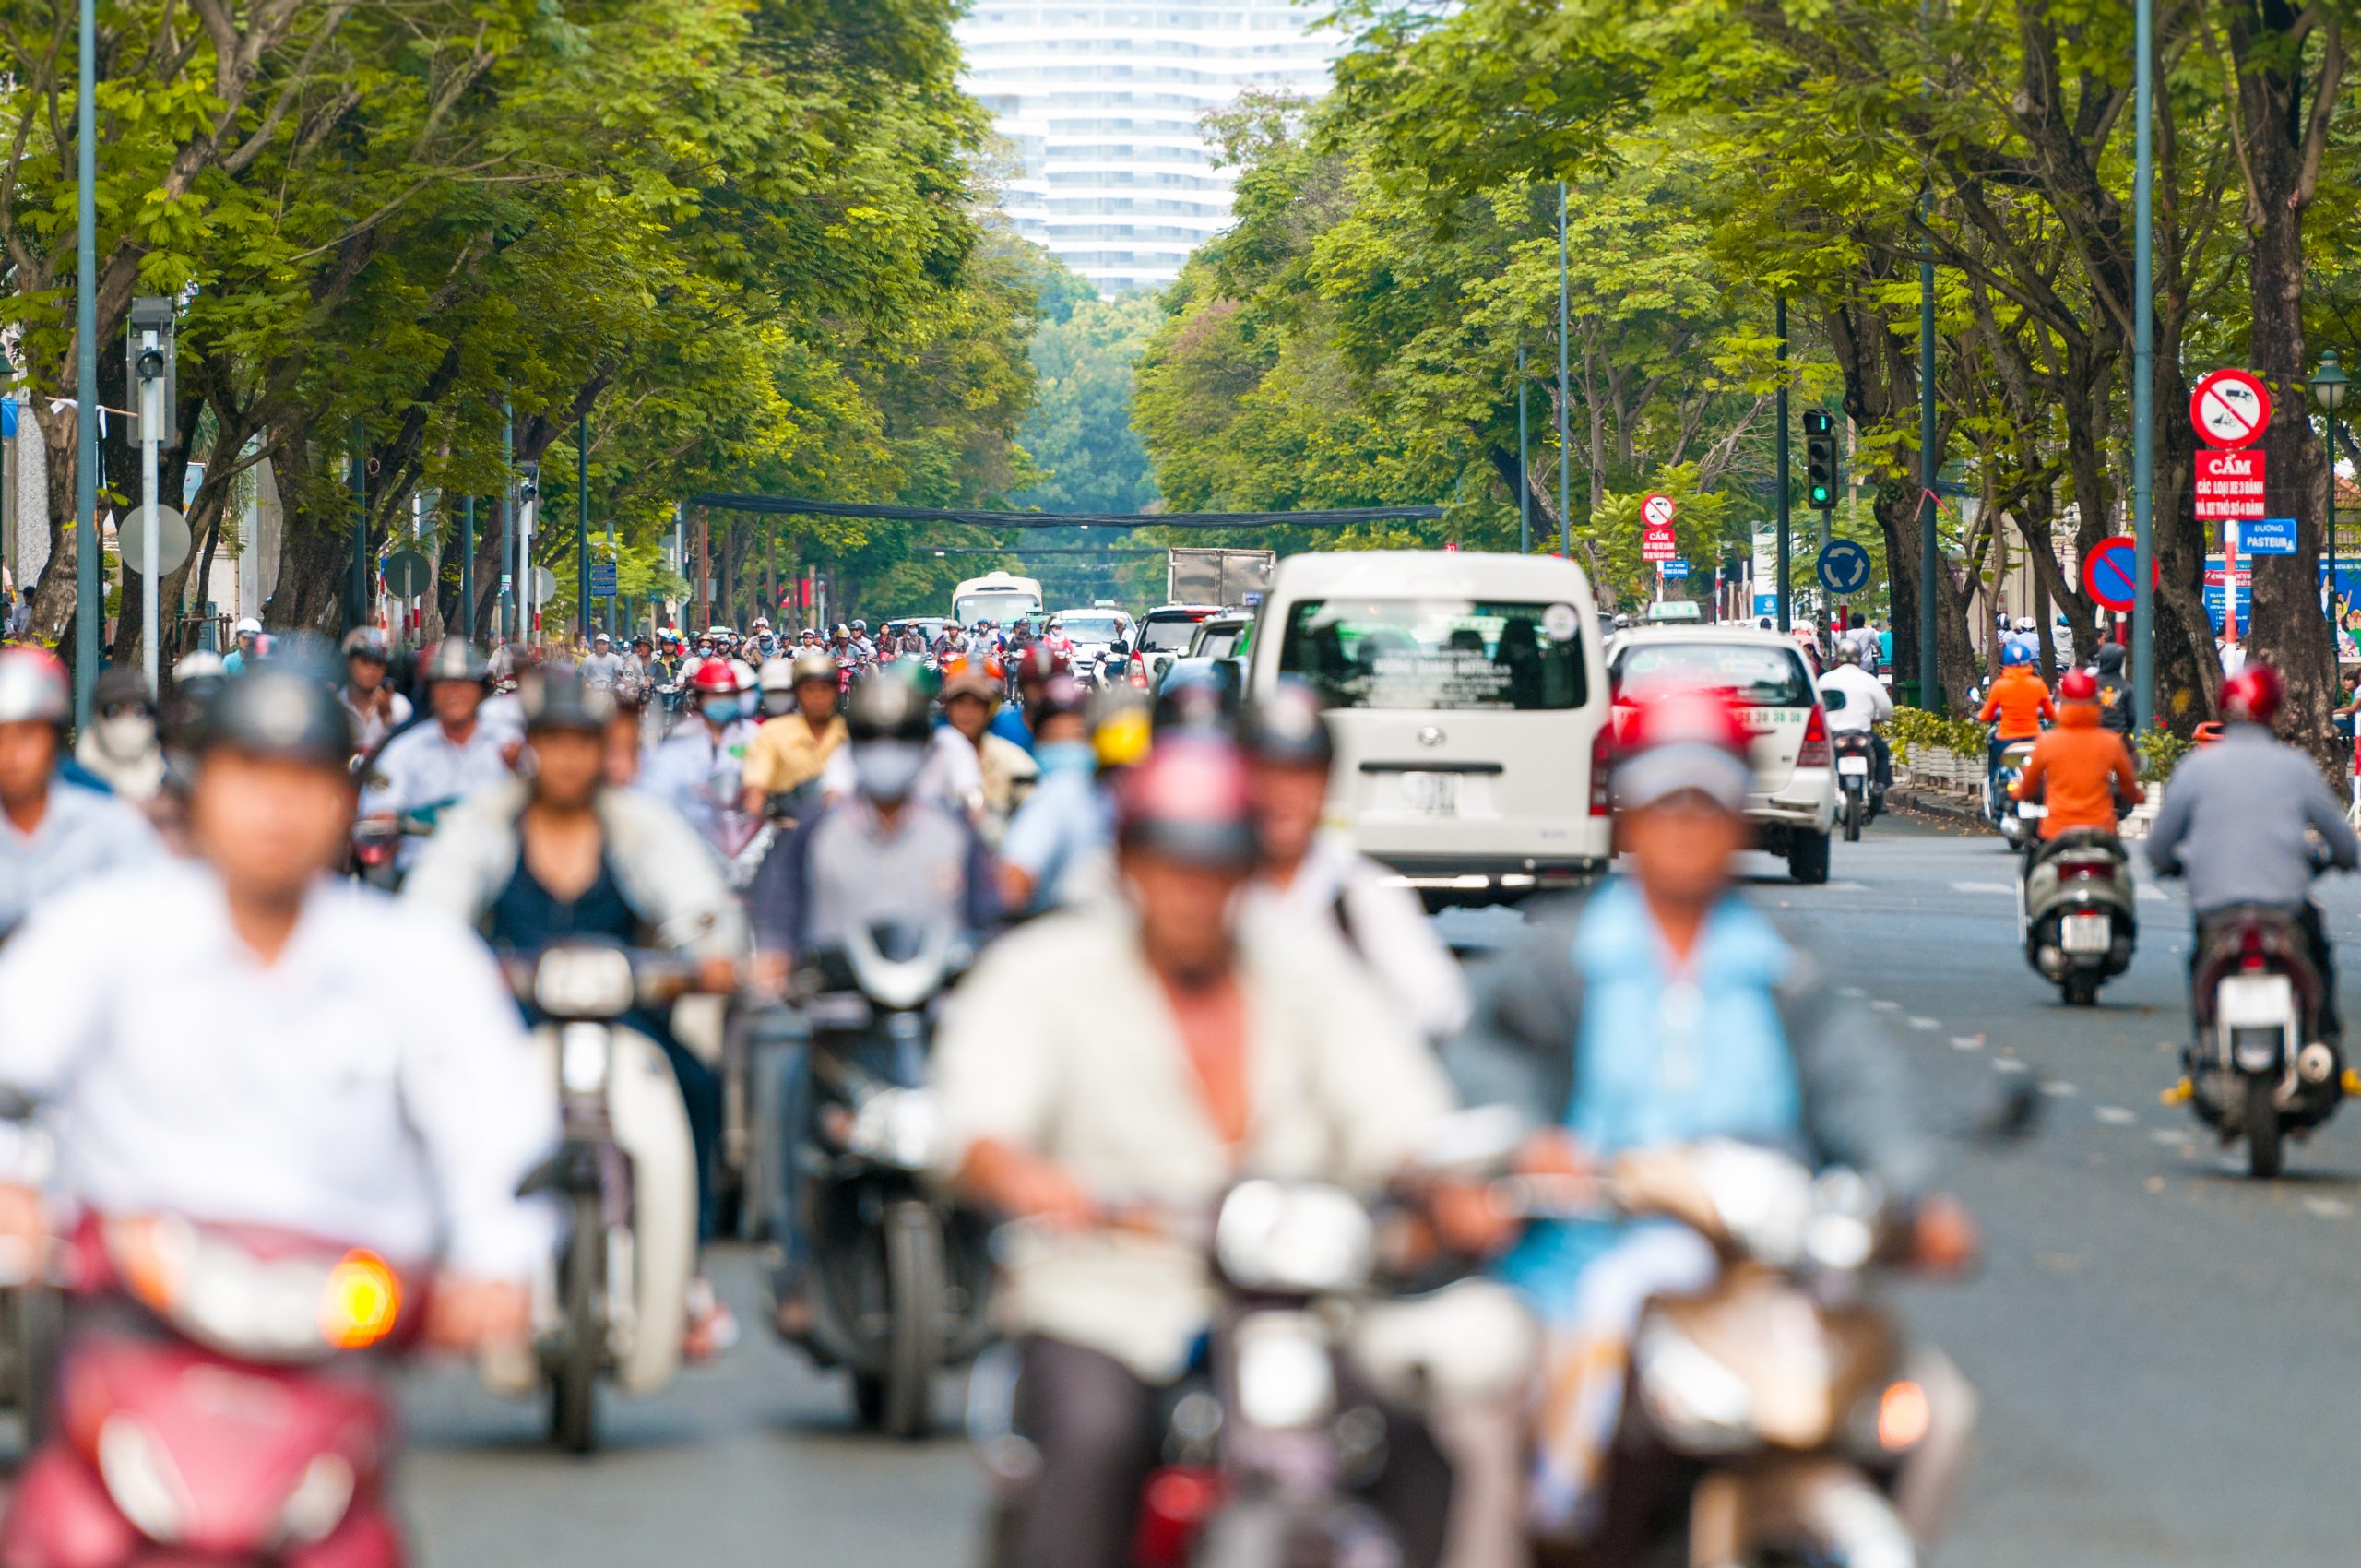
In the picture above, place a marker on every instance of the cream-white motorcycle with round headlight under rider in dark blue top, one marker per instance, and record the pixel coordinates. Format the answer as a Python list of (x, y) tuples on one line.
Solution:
[(613, 1300)]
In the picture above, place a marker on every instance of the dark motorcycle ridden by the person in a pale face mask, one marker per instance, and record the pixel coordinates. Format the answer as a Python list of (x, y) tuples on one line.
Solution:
[(898, 1279)]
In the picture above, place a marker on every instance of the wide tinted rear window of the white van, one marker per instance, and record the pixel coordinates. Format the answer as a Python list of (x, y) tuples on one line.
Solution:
[(1437, 655)]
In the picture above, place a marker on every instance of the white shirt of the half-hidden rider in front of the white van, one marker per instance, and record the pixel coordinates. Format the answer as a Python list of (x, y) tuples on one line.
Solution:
[(1378, 922)]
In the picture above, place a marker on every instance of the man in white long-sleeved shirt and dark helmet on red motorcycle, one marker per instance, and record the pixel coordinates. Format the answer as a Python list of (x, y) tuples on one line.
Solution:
[(289, 1050)]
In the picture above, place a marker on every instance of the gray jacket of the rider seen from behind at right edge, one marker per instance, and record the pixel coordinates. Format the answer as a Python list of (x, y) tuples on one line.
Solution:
[(2235, 823)]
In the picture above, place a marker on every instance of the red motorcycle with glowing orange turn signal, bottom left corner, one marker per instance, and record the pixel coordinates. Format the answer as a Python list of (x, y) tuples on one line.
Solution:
[(216, 1404)]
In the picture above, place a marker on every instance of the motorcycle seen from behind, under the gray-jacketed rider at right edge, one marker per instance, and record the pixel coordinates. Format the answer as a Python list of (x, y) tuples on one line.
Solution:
[(2261, 1071)]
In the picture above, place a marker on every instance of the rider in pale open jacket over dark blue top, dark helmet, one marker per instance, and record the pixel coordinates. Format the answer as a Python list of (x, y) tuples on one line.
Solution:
[(561, 856)]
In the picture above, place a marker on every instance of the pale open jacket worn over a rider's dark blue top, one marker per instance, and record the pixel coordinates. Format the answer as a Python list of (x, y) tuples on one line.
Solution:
[(665, 870)]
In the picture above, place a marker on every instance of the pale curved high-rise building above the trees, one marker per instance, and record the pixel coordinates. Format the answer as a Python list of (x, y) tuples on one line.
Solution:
[(1104, 105)]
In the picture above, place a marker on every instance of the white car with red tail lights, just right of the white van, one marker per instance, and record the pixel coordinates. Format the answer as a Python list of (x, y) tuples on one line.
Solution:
[(1796, 783)]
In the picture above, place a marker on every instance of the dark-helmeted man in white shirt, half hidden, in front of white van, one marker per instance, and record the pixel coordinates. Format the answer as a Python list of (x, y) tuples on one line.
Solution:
[(1316, 882)]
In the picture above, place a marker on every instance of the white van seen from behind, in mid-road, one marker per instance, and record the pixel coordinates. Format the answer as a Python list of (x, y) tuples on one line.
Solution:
[(1470, 710)]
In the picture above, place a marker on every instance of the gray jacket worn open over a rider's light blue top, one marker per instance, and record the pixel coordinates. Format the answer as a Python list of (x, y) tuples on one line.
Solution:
[(1859, 1106)]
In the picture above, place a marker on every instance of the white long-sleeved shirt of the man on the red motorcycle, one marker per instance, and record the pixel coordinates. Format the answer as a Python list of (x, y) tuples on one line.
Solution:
[(369, 1087)]
